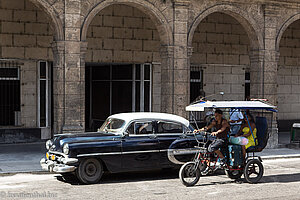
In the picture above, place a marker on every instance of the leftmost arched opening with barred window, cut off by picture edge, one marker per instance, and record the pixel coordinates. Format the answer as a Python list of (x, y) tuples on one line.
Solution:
[(26, 58)]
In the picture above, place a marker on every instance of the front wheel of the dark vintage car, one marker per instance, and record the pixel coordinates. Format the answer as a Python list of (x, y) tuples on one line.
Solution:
[(89, 171)]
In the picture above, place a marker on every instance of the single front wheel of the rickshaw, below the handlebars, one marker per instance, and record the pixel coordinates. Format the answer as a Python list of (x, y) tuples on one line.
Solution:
[(189, 175)]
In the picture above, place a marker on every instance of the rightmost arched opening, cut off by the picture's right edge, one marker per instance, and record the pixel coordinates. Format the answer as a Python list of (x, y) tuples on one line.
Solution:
[(289, 77)]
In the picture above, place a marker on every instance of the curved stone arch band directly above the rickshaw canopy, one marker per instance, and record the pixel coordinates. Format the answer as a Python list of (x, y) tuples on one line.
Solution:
[(247, 22)]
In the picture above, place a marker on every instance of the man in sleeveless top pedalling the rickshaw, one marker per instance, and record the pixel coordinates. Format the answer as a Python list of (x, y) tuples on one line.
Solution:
[(222, 129)]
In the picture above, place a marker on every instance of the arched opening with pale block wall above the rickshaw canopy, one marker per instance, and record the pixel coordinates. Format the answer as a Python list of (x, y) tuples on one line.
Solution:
[(220, 62)]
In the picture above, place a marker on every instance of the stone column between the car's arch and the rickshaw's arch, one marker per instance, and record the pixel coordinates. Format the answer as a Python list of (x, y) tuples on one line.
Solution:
[(175, 64)]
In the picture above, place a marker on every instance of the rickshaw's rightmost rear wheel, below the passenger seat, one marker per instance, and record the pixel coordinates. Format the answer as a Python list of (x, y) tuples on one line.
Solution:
[(253, 171)]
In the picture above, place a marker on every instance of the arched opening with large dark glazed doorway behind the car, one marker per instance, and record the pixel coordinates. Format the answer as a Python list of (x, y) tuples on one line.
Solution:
[(123, 71)]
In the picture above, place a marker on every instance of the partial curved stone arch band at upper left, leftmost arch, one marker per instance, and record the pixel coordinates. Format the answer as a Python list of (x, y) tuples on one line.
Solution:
[(53, 15)]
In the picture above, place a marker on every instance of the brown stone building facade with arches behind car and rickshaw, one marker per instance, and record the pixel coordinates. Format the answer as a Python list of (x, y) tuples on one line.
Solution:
[(67, 64)]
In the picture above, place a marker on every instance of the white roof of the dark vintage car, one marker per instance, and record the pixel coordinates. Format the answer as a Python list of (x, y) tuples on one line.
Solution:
[(127, 117)]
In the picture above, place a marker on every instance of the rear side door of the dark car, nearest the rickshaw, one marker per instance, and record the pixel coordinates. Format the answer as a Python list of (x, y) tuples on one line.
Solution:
[(167, 132)]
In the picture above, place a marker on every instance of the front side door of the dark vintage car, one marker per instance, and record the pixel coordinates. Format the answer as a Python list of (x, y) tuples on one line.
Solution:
[(140, 147)]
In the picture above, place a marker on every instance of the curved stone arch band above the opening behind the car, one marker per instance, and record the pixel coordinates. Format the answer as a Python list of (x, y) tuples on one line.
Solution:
[(158, 18)]
